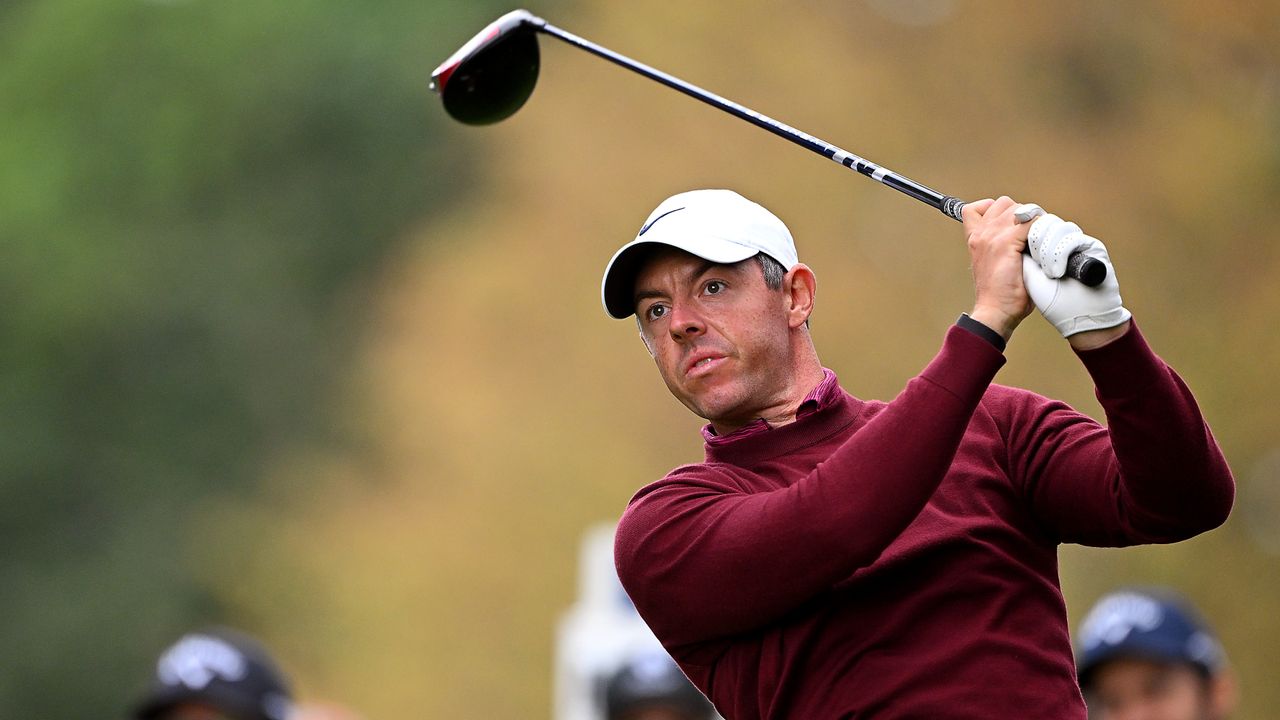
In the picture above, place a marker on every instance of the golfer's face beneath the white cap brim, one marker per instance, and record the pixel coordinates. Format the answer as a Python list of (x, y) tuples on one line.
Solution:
[(719, 335)]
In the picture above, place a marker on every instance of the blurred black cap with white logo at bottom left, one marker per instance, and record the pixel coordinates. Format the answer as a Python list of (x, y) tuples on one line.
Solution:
[(223, 669)]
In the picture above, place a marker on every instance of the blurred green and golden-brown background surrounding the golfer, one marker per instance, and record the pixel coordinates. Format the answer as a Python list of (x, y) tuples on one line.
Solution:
[(286, 349)]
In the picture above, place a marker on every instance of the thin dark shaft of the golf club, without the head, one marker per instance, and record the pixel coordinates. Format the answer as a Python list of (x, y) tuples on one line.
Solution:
[(947, 204)]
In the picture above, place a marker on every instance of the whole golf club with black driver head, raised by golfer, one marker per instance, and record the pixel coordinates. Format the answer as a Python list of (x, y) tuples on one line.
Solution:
[(492, 76)]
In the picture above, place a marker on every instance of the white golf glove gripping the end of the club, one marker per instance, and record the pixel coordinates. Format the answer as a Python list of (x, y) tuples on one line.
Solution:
[(1071, 306)]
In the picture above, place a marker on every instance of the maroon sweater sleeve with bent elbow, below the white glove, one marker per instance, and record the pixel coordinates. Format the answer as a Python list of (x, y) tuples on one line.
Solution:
[(1155, 475)]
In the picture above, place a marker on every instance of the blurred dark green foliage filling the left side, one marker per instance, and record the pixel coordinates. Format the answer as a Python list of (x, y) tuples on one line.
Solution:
[(191, 195)]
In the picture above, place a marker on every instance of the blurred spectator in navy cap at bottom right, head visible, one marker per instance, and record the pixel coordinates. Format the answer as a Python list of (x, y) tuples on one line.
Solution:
[(1150, 657)]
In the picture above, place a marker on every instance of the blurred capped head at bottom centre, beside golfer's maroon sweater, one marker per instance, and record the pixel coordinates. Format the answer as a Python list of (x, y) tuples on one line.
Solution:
[(652, 687)]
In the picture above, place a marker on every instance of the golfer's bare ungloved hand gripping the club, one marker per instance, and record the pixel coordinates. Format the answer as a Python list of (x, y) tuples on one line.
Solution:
[(996, 243)]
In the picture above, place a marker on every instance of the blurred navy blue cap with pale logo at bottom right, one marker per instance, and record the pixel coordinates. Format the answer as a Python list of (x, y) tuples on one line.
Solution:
[(1148, 626)]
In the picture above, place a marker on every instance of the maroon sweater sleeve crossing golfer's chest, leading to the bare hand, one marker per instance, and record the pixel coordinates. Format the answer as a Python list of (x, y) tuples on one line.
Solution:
[(703, 557)]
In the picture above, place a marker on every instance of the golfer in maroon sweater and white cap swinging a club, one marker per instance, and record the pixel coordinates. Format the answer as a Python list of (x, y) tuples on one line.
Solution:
[(835, 558)]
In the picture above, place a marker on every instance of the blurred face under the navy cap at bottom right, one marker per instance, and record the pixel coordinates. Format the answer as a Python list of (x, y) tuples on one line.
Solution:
[(1141, 690)]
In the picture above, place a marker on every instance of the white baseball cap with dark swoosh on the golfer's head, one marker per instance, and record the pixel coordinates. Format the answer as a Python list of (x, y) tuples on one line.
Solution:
[(715, 225)]
